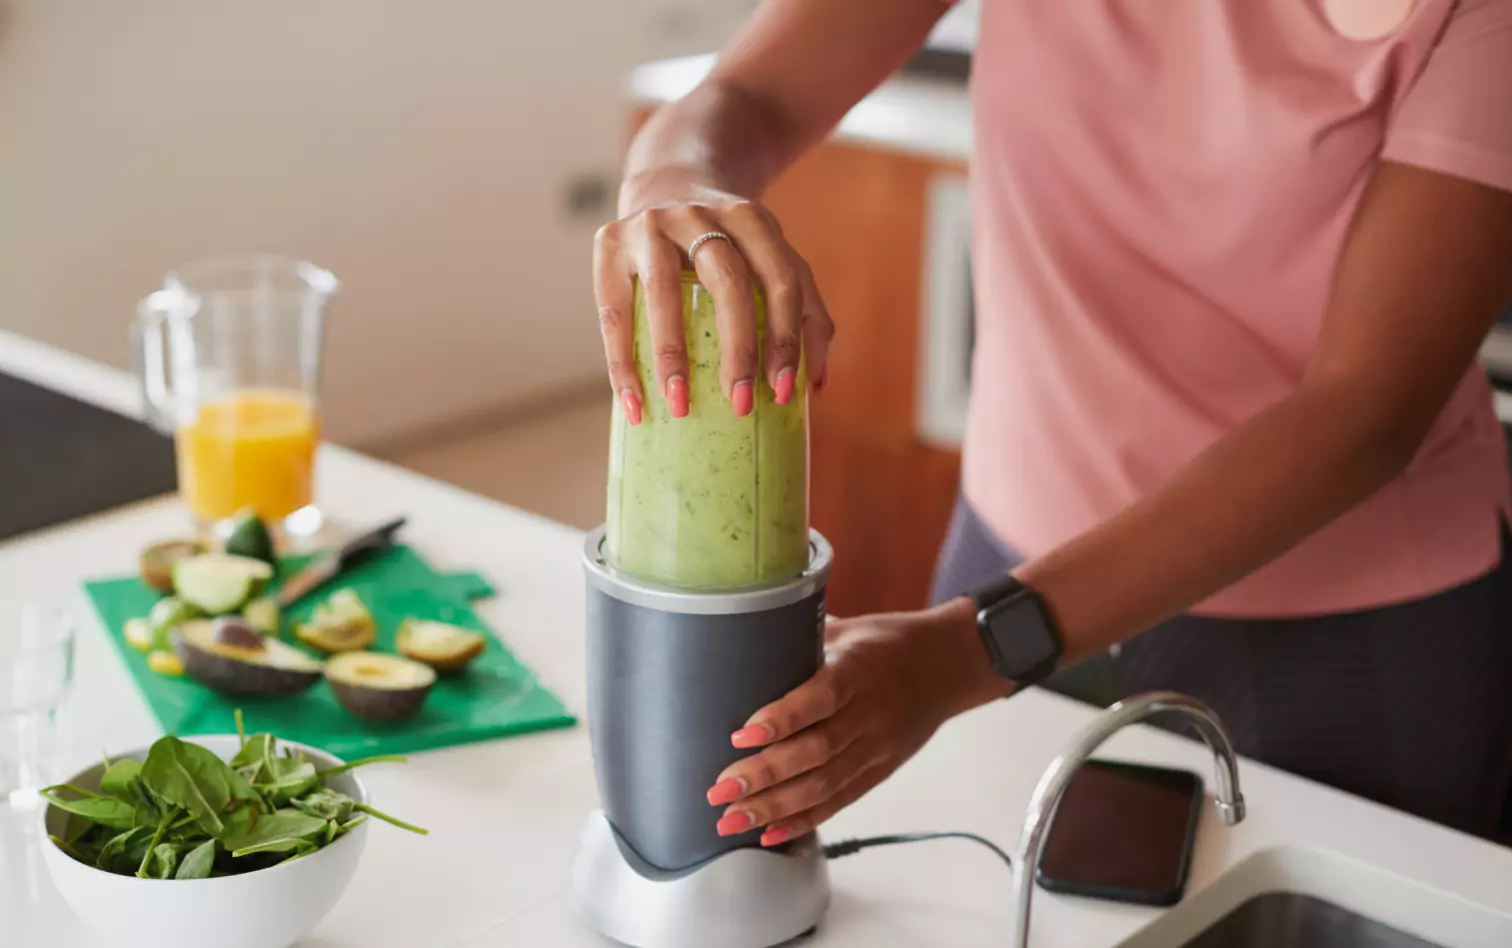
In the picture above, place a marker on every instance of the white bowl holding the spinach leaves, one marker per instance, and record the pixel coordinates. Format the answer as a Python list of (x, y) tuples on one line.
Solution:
[(264, 909)]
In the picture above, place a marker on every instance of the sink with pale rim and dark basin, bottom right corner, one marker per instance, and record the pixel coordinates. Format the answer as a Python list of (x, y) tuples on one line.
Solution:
[(1313, 899)]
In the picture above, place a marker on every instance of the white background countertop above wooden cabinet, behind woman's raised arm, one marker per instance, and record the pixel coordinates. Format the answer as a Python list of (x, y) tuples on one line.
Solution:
[(922, 117)]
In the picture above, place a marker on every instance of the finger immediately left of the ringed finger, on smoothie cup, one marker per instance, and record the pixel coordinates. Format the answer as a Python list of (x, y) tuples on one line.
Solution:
[(658, 264)]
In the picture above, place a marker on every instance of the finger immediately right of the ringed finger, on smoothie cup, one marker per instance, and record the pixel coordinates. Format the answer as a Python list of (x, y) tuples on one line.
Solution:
[(778, 268)]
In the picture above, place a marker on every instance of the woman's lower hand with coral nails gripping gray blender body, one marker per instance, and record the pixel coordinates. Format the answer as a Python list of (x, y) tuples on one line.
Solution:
[(887, 686)]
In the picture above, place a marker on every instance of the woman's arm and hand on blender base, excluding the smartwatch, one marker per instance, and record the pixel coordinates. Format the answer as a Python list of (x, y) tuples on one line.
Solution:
[(1422, 277)]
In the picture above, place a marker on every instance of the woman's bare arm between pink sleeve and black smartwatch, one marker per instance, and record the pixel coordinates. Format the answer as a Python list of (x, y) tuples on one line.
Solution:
[(1424, 274)]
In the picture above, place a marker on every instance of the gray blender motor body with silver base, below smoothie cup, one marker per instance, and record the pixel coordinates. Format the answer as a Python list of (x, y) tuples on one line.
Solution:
[(672, 674)]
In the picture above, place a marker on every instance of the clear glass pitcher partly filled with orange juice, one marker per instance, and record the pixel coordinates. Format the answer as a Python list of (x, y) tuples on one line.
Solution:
[(231, 365)]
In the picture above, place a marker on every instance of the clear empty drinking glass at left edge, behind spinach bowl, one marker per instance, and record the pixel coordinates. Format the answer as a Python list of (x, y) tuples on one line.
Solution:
[(37, 668)]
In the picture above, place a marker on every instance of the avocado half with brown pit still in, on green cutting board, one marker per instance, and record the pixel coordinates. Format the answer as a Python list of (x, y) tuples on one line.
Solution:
[(237, 665)]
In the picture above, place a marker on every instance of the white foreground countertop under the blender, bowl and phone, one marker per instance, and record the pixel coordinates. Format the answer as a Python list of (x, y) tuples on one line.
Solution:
[(506, 814)]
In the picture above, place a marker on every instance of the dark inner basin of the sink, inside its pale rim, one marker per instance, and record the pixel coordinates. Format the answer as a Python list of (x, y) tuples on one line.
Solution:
[(1301, 922)]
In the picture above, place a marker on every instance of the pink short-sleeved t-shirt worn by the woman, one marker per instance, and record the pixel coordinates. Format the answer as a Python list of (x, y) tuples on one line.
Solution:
[(1162, 190)]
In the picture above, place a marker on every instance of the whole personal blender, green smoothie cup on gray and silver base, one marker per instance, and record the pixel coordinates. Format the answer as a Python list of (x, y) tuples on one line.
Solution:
[(705, 601)]
